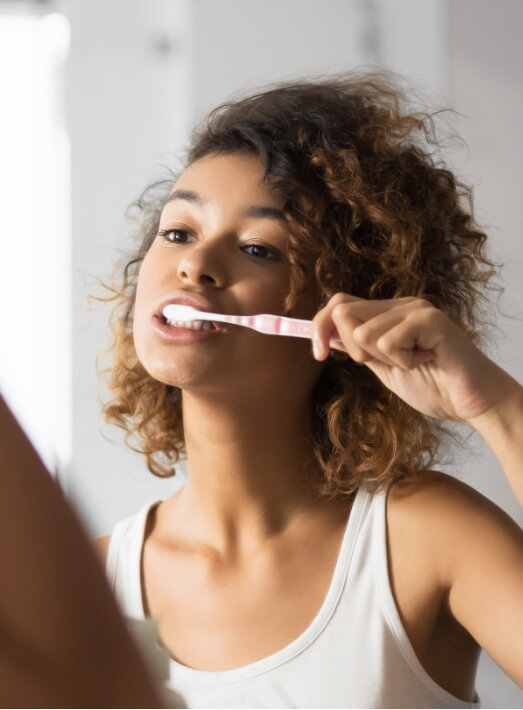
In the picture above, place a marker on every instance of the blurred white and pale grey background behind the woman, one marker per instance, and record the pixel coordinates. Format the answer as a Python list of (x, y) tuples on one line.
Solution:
[(97, 97)]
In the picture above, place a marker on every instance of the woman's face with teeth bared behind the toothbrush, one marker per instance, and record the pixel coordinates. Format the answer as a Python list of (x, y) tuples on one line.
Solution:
[(221, 247)]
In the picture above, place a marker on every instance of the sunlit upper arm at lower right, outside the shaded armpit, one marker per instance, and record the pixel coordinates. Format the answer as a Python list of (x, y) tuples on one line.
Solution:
[(478, 551)]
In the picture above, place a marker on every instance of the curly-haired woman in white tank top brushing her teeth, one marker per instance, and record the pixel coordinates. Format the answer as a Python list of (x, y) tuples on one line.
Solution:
[(314, 558)]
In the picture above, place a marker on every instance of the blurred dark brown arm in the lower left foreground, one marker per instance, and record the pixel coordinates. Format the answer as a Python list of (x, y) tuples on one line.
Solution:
[(63, 642)]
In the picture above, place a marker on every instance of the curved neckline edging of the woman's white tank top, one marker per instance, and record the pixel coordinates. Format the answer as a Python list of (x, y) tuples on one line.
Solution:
[(306, 638)]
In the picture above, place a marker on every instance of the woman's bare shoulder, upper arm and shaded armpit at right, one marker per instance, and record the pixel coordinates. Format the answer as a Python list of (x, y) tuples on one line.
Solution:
[(456, 569)]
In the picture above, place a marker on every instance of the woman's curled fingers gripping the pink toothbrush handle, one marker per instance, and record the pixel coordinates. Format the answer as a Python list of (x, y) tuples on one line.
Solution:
[(396, 332)]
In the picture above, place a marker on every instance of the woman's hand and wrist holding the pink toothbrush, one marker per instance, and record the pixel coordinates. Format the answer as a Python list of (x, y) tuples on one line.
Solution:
[(417, 352)]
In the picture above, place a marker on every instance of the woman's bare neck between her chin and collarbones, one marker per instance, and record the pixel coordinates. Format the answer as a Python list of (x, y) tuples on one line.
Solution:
[(248, 467)]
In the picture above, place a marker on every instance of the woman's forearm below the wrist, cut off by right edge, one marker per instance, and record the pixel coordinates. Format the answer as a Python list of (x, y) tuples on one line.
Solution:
[(502, 429)]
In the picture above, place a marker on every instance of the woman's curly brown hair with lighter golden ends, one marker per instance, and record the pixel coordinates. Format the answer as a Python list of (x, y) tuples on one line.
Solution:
[(369, 201)]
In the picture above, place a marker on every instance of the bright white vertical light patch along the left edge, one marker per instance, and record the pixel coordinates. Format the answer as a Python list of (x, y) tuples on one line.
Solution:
[(35, 232)]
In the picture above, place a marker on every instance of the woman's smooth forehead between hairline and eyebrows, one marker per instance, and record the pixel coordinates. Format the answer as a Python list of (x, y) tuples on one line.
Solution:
[(234, 178)]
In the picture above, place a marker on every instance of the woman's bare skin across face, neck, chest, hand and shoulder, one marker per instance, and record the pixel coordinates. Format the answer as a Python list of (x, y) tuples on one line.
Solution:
[(246, 534)]
